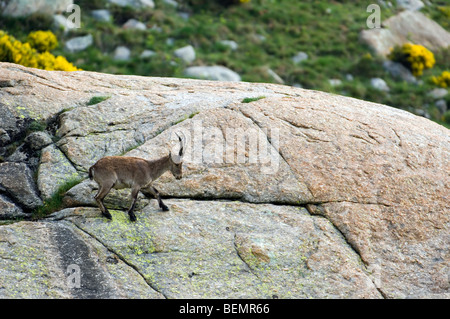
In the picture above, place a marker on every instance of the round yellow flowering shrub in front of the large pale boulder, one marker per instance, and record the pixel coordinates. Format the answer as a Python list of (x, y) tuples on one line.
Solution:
[(414, 56)]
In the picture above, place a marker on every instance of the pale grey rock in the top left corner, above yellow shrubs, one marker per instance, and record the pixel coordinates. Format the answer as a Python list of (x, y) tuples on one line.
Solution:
[(22, 8)]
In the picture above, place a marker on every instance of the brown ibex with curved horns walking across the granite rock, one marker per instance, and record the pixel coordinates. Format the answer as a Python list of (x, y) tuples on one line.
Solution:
[(136, 173)]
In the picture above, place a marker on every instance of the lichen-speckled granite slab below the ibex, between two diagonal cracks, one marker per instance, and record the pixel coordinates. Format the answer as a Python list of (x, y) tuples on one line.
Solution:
[(286, 256)]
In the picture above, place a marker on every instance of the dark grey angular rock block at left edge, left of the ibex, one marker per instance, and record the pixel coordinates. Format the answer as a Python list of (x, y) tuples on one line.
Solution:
[(16, 179)]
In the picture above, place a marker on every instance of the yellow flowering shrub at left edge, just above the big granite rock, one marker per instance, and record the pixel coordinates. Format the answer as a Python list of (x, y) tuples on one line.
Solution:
[(12, 50)]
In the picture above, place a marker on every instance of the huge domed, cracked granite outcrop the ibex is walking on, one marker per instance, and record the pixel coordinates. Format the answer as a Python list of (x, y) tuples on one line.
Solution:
[(294, 194)]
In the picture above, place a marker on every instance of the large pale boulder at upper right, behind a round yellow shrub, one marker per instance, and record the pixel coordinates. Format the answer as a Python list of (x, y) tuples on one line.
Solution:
[(407, 26)]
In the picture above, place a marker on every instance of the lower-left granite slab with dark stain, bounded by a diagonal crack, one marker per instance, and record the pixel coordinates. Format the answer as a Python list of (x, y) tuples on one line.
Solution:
[(50, 252)]
